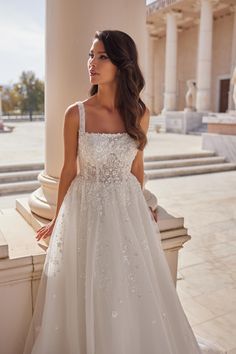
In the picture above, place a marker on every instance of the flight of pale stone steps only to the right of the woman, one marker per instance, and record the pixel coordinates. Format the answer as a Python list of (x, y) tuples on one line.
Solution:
[(185, 164)]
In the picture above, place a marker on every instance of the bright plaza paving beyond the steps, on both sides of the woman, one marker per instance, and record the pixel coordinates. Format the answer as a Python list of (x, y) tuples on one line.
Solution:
[(27, 140)]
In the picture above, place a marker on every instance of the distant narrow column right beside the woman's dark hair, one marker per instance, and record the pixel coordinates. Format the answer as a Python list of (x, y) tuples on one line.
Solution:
[(150, 68)]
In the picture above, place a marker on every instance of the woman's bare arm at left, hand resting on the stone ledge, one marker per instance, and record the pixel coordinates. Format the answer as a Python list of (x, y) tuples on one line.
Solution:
[(69, 169)]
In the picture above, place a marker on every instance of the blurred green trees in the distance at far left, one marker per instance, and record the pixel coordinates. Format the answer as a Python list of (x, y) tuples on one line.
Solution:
[(25, 97)]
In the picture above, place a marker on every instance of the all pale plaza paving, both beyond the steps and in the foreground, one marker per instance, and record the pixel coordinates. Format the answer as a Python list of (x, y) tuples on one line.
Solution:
[(207, 263)]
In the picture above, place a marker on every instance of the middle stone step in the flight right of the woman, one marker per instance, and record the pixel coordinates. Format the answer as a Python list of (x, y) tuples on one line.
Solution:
[(183, 162)]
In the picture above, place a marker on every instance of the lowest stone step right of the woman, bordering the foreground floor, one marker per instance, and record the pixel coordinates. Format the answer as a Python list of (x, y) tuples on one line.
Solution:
[(193, 170)]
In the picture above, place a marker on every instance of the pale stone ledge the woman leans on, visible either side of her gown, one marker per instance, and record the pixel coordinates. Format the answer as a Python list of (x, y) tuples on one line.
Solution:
[(26, 258)]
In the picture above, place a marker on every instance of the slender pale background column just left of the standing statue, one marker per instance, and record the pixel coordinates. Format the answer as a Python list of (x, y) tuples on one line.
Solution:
[(171, 62)]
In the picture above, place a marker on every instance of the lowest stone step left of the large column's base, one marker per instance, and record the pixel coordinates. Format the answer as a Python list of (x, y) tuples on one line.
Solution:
[(18, 187)]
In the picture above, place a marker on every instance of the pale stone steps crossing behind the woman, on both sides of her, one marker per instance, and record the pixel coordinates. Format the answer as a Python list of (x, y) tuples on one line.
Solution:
[(22, 178)]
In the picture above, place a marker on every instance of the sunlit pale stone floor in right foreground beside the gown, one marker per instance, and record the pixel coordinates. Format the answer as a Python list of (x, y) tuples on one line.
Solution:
[(207, 264)]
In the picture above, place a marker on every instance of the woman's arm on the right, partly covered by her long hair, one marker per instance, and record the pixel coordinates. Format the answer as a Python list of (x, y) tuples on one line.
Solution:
[(137, 166)]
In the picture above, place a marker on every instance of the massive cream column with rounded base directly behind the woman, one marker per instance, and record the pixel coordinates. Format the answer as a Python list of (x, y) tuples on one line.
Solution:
[(70, 26)]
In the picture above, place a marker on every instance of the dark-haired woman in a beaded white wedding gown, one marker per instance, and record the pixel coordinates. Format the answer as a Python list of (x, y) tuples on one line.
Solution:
[(106, 286)]
